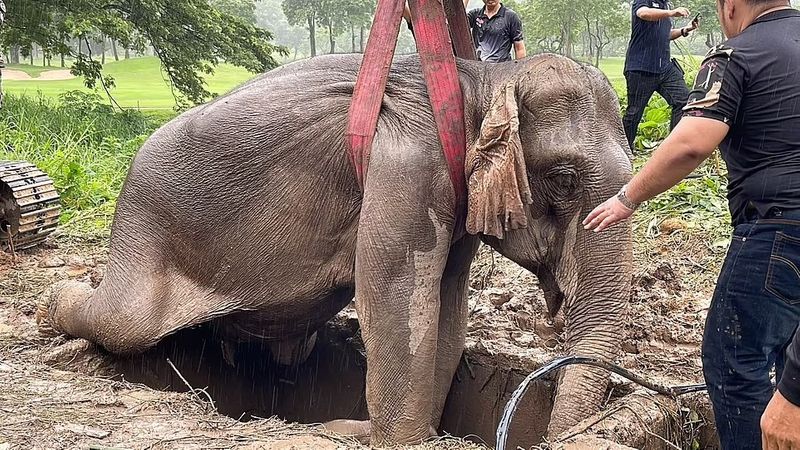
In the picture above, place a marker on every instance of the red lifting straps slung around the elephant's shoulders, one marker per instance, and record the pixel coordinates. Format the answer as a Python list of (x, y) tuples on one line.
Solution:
[(430, 21)]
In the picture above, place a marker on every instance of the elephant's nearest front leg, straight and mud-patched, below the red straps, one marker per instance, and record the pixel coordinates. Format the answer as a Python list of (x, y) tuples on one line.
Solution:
[(401, 253)]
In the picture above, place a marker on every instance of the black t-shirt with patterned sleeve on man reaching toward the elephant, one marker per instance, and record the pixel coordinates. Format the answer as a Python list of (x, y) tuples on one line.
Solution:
[(752, 82)]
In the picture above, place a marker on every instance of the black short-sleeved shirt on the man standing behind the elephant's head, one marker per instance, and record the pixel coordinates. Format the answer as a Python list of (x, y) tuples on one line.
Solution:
[(493, 37)]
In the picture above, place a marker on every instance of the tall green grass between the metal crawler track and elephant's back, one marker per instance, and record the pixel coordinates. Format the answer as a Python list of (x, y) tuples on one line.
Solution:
[(81, 143)]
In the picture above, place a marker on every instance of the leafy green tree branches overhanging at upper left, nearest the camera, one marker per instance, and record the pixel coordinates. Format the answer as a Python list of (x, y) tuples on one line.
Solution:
[(190, 37)]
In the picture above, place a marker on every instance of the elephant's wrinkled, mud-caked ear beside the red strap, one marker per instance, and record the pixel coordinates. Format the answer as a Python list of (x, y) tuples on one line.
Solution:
[(498, 181)]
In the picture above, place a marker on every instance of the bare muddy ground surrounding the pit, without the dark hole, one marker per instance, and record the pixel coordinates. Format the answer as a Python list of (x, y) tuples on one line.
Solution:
[(45, 407)]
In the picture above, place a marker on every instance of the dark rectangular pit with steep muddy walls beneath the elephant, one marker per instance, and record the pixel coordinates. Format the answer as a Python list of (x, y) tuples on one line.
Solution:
[(329, 385)]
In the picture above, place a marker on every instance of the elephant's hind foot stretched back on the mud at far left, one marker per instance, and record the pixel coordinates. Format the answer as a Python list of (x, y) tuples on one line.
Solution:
[(58, 304)]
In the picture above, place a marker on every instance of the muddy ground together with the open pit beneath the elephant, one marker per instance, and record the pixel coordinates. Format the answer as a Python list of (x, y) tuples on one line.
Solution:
[(508, 338)]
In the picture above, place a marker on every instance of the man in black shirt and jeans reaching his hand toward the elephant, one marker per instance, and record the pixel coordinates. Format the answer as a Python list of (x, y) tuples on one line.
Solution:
[(746, 100)]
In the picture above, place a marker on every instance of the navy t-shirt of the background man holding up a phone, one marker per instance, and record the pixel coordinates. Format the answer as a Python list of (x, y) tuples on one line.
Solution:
[(648, 50)]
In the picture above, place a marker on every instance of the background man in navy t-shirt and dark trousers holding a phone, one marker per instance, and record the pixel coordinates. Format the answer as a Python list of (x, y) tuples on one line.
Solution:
[(648, 65)]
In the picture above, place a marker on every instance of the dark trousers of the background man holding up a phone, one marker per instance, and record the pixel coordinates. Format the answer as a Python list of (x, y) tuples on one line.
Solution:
[(641, 86)]
